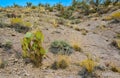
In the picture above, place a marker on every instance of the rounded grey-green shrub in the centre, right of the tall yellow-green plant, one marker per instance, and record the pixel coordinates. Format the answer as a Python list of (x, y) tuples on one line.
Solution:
[(61, 47)]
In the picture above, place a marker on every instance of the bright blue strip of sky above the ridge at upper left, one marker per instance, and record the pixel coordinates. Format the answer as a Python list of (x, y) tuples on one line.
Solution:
[(4, 3)]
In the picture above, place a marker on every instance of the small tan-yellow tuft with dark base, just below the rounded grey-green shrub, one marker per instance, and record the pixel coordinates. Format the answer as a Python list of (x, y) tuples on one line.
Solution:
[(62, 62)]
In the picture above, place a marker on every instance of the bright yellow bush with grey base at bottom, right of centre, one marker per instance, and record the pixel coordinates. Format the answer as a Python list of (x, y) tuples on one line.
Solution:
[(89, 67)]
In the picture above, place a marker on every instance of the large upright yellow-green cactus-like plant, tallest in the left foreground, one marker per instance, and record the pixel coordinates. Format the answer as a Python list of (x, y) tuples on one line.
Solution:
[(32, 47)]
